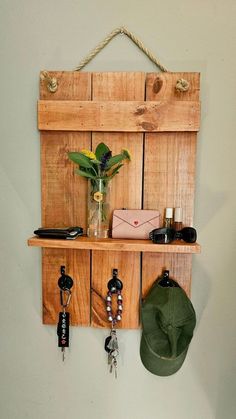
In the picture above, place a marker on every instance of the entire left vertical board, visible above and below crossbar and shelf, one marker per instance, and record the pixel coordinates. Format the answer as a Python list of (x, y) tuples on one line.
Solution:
[(64, 204)]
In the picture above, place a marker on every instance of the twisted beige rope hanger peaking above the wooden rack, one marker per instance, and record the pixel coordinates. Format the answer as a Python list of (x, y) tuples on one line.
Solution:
[(115, 32)]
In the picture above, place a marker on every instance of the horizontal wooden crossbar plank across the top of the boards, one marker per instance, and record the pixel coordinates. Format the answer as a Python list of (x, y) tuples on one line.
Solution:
[(124, 116)]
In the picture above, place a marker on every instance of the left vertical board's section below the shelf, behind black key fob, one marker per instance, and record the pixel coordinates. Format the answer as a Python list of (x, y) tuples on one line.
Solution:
[(77, 264)]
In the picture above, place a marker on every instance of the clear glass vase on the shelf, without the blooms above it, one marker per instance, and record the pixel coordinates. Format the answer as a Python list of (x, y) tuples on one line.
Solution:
[(98, 210)]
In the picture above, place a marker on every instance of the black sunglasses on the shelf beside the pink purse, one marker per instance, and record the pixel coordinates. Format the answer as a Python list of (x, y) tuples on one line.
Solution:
[(167, 235)]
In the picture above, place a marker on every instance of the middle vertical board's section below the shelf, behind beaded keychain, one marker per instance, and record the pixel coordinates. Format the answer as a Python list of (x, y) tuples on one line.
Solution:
[(102, 265)]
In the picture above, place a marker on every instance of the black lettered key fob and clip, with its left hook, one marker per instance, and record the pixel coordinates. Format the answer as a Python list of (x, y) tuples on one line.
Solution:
[(65, 284)]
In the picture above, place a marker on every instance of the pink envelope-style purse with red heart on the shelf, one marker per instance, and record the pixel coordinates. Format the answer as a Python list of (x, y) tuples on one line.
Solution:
[(134, 224)]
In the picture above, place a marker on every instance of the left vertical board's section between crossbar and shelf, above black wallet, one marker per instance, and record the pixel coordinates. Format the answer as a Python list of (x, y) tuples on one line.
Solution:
[(63, 192)]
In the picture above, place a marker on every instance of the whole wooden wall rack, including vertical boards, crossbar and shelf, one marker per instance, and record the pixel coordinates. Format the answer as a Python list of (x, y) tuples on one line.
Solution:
[(158, 125)]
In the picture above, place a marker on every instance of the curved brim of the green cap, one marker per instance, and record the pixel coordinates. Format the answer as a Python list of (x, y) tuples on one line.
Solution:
[(159, 365)]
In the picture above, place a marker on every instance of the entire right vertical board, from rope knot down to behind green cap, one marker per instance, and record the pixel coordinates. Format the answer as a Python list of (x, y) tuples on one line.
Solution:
[(169, 177)]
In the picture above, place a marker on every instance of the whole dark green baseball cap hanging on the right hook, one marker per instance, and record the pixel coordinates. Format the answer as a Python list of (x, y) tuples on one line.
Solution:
[(168, 320)]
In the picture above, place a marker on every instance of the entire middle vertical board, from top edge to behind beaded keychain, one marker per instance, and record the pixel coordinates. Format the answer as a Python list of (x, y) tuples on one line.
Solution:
[(126, 191)]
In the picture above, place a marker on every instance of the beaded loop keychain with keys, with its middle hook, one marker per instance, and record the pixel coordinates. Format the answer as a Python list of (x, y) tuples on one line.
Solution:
[(111, 343)]
